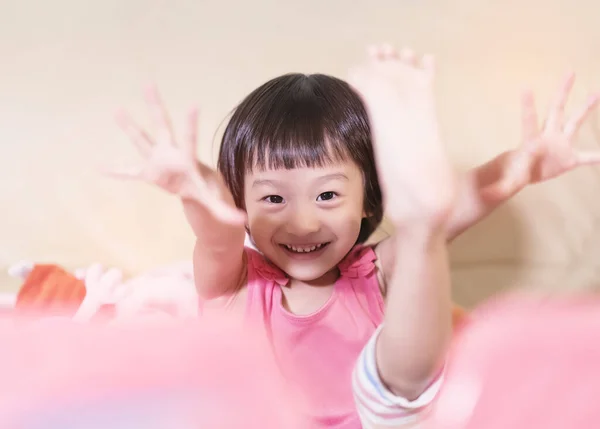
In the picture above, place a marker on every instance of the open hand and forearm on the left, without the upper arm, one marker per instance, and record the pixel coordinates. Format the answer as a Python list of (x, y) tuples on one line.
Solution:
[(172, 165)]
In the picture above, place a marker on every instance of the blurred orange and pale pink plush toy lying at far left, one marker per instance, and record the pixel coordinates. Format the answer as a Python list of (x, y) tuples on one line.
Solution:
[(95, 292)]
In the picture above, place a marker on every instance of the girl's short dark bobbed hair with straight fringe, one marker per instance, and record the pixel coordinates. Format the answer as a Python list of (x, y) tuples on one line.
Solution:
[(299, 120)]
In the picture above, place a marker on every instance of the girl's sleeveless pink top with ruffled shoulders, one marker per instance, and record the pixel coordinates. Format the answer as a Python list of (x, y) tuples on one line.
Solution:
[(317, 352)]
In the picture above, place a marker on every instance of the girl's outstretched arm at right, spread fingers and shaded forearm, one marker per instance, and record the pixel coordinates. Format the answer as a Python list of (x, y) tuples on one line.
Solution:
[(547, 150)]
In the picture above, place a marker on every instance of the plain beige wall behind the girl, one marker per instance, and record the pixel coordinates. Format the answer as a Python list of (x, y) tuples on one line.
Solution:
[(68, 65)]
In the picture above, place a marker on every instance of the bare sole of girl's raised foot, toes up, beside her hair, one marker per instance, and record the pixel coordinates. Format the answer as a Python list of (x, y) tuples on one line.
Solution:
[(417, 178)]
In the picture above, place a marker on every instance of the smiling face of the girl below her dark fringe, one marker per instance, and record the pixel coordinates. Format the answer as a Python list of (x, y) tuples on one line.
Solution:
[(305, 220)]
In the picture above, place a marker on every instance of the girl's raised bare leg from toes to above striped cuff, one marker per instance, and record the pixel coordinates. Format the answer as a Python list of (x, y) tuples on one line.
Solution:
[(418, 184)]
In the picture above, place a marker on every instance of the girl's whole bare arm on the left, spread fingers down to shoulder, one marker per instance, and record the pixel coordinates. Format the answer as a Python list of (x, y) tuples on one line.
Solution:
[(216, 222)]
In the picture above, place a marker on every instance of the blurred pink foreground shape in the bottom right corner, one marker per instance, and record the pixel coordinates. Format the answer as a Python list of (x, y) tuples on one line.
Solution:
[(523, 363)]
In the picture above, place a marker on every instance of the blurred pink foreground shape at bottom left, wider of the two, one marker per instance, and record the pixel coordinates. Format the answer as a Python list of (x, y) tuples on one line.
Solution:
[(60, 374)]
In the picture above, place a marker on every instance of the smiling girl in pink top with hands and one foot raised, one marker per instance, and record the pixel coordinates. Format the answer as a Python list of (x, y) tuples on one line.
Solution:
[(297, 173)]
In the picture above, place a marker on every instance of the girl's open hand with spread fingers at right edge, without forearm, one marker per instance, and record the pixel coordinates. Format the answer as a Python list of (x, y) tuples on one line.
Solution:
[(547, 150)]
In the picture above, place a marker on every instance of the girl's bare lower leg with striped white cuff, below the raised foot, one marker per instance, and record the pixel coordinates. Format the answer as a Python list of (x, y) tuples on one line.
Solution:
[(391, 390)]
